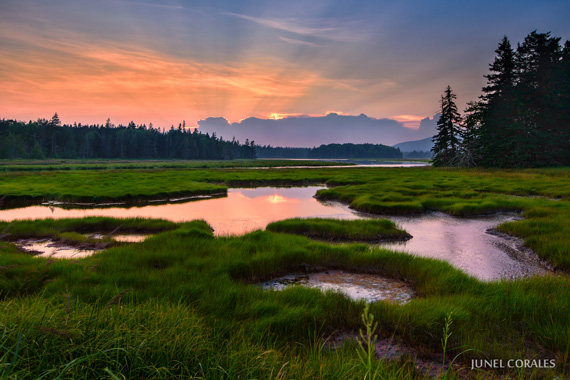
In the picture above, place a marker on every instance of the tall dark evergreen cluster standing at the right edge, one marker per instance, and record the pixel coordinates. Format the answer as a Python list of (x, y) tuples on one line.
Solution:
[(522, 119)]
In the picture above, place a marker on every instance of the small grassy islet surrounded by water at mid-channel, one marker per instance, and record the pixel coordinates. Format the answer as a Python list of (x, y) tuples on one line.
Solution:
[(374, 230)]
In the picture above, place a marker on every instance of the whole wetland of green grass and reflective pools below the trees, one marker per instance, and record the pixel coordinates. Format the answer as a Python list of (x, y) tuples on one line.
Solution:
[(191, 286)]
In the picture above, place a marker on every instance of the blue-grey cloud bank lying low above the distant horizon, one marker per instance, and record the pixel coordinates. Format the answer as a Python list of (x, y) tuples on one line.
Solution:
[(314, 131)]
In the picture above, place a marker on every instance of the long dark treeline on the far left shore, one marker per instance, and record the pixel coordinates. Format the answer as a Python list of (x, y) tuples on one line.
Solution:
[(50, 139)]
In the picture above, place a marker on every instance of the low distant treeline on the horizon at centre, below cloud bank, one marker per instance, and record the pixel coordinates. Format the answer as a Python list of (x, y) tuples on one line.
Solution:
[(330, 151)]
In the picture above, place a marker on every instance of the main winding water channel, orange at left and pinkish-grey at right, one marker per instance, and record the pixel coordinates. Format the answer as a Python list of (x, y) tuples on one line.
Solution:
[(464, 242)]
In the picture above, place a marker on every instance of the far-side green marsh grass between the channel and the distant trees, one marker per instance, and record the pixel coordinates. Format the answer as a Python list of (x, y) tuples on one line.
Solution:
[(541, 194)]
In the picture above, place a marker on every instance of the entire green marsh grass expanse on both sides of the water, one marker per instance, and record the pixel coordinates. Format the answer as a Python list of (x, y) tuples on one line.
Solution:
[(184, 304)]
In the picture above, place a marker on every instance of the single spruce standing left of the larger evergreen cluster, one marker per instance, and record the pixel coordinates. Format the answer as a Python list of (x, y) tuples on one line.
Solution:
[(447, 141)]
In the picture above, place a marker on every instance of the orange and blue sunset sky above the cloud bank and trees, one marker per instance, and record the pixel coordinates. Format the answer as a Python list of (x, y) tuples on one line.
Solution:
[(162, 62)]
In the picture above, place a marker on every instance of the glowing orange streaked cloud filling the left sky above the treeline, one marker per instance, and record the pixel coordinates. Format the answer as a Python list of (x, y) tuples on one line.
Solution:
[(69, 73)]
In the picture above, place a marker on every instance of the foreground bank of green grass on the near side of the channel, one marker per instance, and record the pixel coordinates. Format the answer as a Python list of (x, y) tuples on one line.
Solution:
[(188, 275)]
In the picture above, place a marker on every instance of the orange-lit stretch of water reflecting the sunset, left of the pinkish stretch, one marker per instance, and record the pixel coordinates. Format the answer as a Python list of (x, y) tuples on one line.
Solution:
[(242, 211)]
